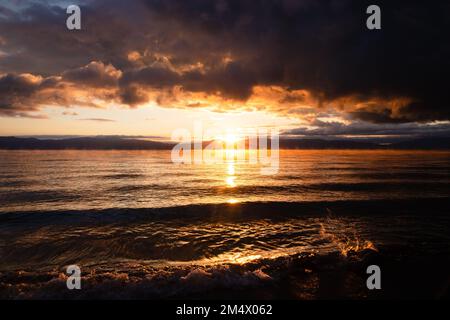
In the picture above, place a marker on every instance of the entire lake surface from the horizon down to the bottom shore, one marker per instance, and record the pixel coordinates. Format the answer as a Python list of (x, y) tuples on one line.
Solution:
[(140, 226)]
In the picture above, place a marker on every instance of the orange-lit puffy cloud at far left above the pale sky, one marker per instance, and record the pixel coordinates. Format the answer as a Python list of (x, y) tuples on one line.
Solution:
[(93, 85)]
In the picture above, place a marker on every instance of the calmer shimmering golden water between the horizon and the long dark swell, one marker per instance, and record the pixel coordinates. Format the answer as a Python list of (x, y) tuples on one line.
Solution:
[(80, 180)]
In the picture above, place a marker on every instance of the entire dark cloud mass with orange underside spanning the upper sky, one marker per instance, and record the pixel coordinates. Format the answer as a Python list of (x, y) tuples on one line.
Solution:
[(227, 47)]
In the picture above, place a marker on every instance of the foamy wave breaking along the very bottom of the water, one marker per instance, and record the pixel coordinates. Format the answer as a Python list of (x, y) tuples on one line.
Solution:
[(300, 276)]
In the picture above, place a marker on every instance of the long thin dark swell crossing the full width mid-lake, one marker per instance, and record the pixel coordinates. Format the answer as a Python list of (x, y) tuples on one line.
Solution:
[(239, 211)]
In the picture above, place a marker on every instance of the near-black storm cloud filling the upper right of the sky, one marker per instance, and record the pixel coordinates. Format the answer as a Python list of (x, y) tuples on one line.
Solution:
[(324, 47)]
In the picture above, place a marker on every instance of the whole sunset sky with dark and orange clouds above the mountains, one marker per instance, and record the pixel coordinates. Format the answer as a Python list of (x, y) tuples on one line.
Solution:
[(147, 67)]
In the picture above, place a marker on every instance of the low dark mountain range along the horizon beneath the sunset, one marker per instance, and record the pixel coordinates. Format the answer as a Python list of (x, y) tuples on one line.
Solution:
[(118, 143)]
